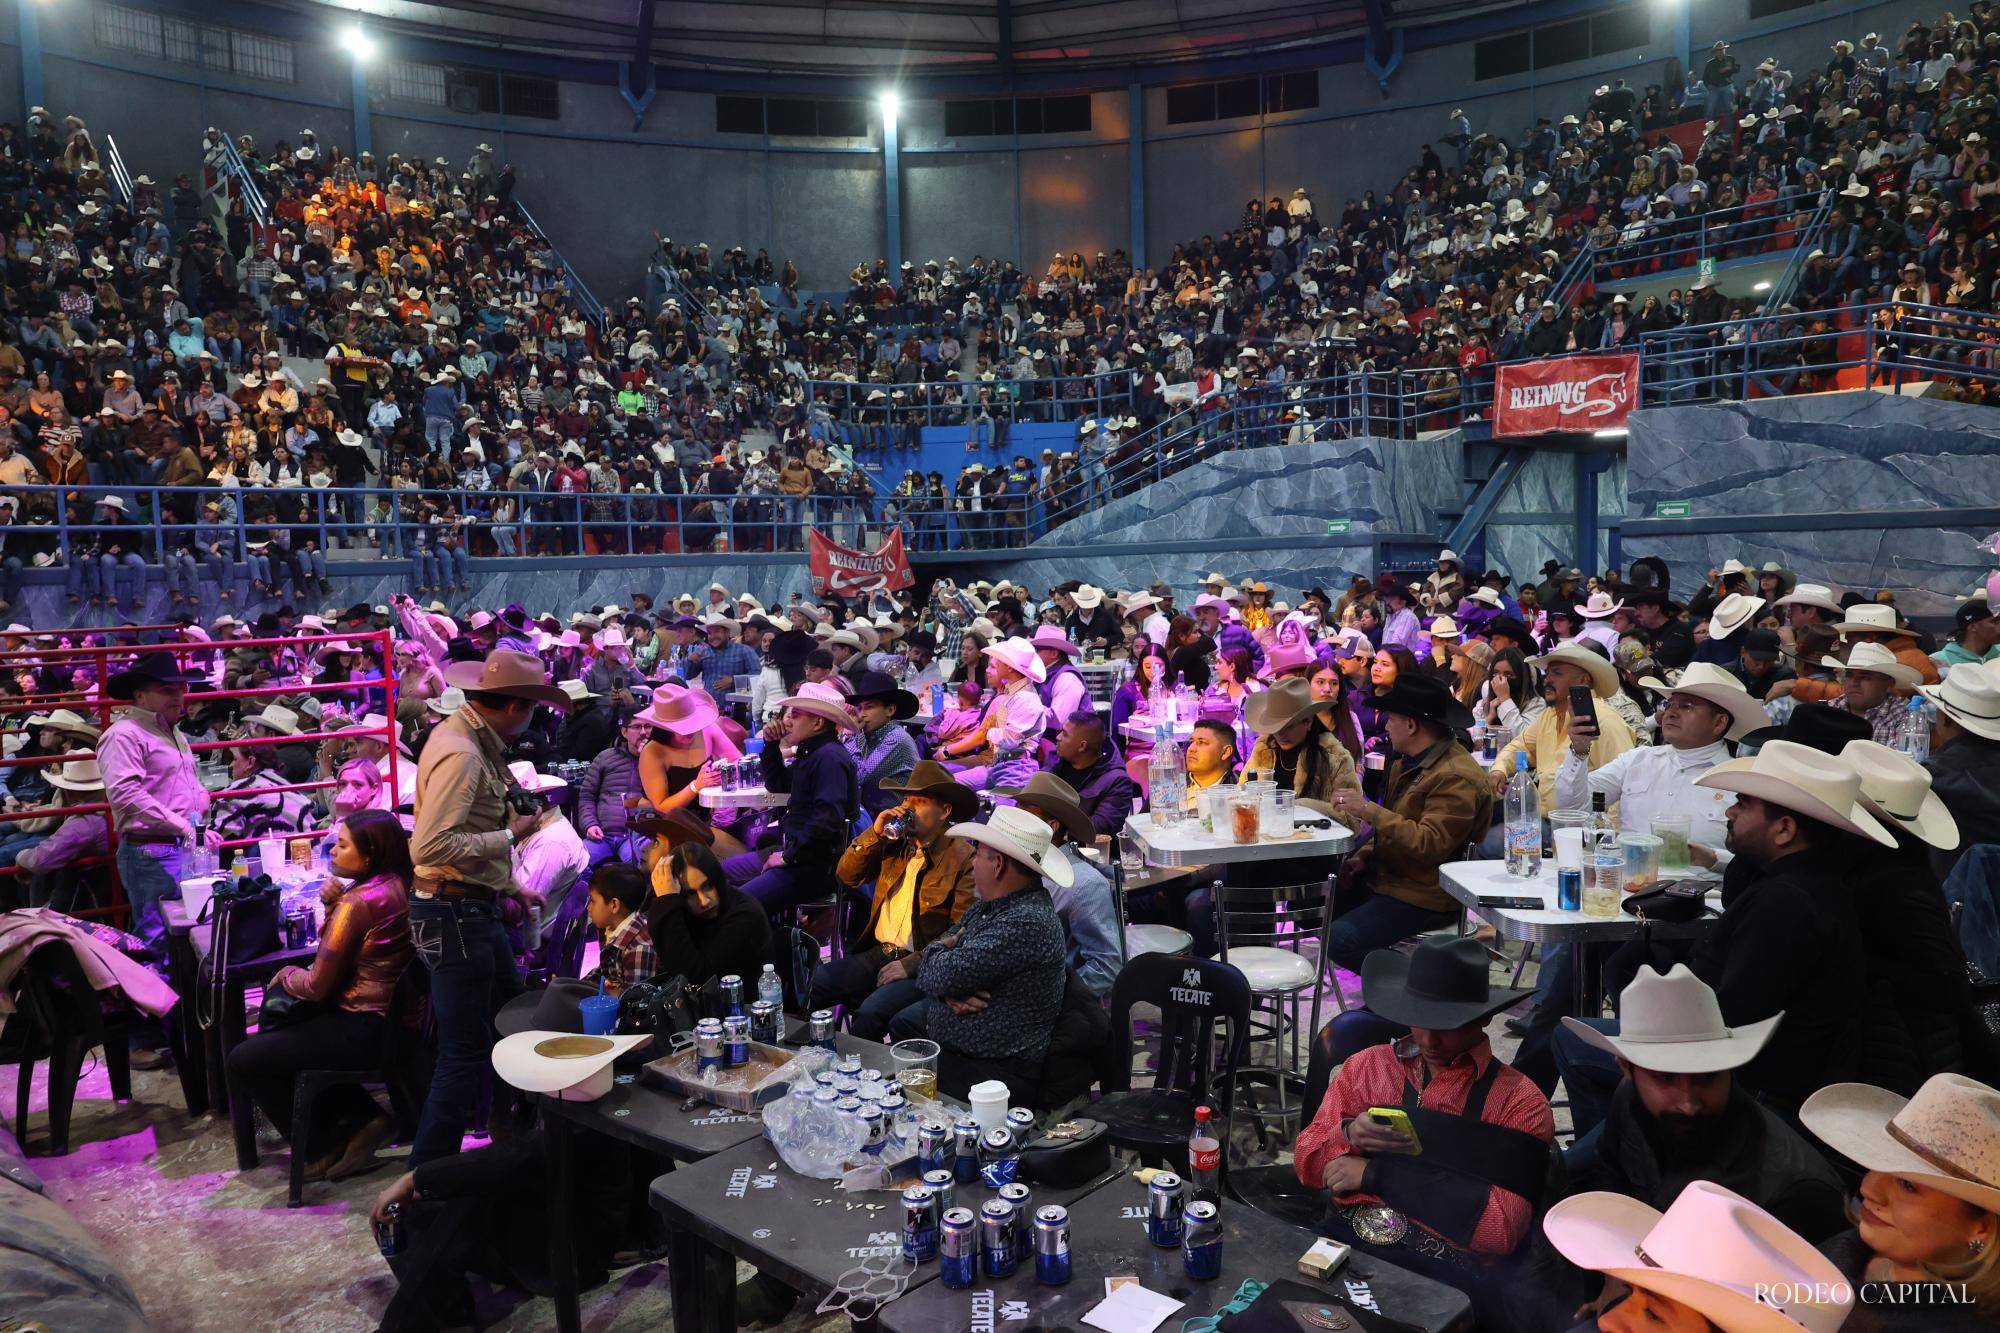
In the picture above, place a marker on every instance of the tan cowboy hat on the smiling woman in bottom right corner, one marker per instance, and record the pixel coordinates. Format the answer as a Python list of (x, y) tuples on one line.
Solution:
[(1945, 1138)]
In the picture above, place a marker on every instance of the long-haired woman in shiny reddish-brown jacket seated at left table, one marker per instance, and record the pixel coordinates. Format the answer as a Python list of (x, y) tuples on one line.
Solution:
[(345, 1010)]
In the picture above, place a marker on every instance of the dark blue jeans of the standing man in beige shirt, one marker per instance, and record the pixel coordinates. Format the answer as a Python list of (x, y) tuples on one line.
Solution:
[(471, 976)]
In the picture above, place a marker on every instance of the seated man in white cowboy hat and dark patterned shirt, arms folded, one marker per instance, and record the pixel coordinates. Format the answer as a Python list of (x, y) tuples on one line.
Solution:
[(995, 984)]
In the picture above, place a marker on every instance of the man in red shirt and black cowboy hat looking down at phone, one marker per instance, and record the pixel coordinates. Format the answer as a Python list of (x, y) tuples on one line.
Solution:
[(1469, 1198)]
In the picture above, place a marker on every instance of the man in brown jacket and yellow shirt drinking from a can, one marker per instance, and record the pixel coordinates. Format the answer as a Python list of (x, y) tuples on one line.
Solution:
[(919, 888)]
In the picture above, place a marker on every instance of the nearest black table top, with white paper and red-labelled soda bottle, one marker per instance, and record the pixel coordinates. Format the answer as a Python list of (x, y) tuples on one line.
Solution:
[(1109, 1240)]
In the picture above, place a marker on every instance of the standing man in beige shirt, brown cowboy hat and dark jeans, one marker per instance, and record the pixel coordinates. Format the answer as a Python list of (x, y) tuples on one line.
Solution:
[(463, 852)]
